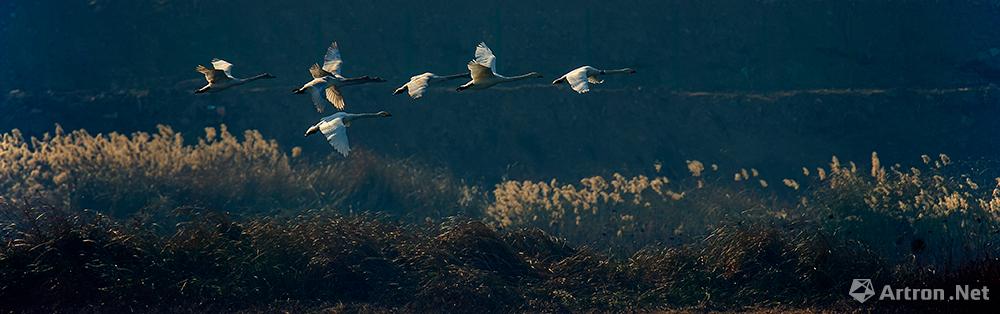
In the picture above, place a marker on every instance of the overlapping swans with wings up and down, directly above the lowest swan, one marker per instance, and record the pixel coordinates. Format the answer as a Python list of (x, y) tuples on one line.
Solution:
[(327, 81)]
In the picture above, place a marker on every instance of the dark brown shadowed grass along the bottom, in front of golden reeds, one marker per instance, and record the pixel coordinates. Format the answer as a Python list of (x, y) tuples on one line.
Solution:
[(57, 260)]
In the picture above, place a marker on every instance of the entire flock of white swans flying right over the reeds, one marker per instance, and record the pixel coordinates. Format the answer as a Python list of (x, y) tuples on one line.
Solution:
[(327, 81)]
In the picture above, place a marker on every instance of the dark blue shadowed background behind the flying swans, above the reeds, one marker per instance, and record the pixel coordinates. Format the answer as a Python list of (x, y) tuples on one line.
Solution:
[(769, 84)]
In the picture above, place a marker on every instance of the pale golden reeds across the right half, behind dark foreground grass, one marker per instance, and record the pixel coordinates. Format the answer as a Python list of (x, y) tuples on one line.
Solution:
[(927, 204)]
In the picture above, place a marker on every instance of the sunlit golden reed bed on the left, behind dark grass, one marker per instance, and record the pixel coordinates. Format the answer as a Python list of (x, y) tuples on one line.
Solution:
[(126, 173)]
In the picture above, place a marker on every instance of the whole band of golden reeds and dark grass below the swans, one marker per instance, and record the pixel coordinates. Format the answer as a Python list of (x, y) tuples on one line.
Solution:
[(147, 223)]
